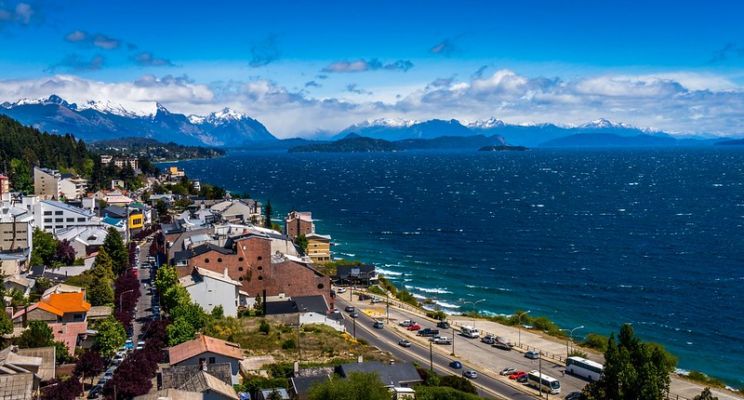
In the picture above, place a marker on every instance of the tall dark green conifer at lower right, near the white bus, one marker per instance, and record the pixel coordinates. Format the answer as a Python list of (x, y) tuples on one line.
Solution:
[(632, 370)]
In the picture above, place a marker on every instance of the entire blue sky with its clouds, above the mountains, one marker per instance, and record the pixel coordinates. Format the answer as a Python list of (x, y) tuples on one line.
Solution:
[(309, 67)]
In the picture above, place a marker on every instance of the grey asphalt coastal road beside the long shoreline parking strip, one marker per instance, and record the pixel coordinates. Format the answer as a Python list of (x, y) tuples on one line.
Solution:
[(387, 340)]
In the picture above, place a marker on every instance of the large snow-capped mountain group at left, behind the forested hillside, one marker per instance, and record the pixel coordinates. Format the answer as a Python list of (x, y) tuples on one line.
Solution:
[(100, 120)]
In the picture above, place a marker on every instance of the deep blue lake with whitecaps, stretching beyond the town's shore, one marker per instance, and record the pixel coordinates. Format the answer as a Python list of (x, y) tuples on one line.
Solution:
[(585, 237)]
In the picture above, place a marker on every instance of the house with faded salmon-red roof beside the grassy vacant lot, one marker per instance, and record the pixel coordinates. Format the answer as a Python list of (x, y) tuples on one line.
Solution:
[(205, 350)]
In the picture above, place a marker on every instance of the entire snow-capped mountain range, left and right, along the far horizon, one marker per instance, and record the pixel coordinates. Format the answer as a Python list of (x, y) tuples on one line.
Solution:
[(95, 121)]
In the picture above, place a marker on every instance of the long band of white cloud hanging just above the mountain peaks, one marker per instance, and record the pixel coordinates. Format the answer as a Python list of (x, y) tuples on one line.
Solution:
[(681, 102)]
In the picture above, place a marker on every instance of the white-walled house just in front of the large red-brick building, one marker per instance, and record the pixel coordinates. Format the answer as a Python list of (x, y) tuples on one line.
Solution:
[(211, 289)]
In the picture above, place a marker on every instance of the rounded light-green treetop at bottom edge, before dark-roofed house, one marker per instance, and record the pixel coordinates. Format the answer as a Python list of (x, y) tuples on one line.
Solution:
[(357, 386)]
